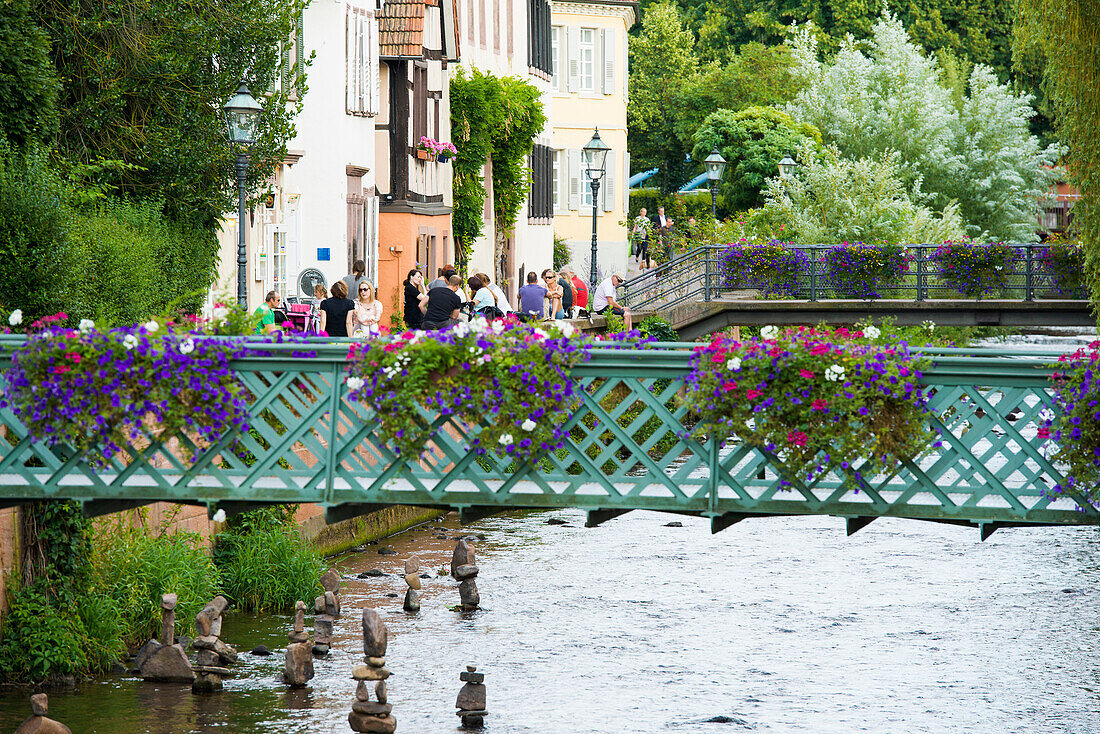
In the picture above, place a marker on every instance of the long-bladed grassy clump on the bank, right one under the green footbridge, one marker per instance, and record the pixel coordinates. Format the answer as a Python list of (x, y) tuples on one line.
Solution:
[(265, 563)]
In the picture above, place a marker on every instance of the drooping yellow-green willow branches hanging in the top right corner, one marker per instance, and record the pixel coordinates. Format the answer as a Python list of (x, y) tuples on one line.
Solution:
[(1069, 36)]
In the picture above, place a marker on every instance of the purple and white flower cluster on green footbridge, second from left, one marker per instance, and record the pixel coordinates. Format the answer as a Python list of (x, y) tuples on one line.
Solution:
[(508, 379)]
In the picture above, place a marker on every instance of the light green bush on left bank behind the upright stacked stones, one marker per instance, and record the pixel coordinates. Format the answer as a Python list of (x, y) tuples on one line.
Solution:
[(133, 568)]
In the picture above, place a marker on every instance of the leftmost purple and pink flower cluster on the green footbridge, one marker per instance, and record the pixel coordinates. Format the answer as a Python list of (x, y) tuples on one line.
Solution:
[(98, 390)]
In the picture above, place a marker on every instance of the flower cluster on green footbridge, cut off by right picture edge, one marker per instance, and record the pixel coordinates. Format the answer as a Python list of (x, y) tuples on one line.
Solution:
[(1076, 425)]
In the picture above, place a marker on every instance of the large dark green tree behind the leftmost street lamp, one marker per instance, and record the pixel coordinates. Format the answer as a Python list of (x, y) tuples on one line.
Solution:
[(144, 83)]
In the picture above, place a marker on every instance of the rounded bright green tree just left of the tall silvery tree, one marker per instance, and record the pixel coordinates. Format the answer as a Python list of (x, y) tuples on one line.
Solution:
[(753, 141)]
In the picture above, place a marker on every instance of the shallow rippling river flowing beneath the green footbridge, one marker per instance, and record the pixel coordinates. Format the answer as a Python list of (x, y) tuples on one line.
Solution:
[(773, 626)]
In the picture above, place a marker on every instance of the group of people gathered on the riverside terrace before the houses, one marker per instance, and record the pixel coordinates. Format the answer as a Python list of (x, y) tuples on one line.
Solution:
[(446, 301)]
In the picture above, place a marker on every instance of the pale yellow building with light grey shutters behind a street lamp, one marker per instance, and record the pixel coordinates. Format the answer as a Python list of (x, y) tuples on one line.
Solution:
[(589, 84)]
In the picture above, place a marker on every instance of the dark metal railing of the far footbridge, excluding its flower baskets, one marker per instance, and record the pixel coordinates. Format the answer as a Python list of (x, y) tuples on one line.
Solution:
[(699, 275)]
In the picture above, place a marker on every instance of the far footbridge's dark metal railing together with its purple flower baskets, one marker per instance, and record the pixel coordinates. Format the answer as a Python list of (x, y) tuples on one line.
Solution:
[(822, 272)]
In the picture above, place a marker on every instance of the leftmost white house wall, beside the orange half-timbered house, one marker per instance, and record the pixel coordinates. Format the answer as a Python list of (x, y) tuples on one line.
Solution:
[(324, 212)]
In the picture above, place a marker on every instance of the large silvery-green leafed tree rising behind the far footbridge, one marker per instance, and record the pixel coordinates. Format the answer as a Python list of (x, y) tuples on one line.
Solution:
[(976, 150)]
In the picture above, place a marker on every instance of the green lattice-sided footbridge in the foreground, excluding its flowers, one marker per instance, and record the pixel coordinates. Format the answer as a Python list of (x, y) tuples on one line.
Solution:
[(630, 448)]
